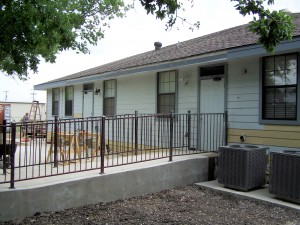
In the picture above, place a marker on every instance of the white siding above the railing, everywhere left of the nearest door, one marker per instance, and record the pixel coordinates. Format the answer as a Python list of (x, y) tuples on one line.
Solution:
[(136, 93)]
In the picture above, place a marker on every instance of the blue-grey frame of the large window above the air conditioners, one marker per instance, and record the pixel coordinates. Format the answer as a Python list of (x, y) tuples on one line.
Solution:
[(278, 121)]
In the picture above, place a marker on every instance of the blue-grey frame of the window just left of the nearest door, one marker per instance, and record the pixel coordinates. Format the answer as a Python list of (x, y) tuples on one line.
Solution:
[(158, 94)]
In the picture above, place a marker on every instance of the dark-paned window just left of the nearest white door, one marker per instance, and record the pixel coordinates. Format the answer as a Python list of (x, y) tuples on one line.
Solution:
[(166, 92)]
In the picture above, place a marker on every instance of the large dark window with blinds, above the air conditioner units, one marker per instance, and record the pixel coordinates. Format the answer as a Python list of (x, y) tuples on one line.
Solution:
[(279, 96)]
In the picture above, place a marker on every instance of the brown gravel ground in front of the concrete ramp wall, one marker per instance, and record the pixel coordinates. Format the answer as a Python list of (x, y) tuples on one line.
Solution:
[(186, 205)]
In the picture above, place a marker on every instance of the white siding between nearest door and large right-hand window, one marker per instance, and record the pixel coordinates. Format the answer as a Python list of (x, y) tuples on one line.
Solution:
[(243, 94)]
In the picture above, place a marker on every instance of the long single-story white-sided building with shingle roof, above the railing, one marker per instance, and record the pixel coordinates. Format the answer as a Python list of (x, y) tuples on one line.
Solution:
[(226, 71)]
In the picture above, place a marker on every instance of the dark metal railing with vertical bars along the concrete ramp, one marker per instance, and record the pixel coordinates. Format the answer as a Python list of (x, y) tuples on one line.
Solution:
[(63, 146)]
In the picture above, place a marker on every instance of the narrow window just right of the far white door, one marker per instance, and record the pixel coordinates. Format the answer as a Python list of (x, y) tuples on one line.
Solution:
[(109, 102)]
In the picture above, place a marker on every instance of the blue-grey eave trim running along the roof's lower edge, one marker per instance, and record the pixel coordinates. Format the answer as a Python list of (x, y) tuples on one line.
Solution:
[(230, 54)]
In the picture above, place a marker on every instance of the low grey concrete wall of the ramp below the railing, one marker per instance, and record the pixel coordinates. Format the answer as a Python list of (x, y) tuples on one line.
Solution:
[(19, 203)]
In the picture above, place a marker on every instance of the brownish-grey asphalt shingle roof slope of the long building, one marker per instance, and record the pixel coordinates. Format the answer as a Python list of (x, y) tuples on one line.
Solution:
[(226, 39)]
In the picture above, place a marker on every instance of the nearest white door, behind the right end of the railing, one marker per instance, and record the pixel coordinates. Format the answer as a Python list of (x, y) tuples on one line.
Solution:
[(212, 97)]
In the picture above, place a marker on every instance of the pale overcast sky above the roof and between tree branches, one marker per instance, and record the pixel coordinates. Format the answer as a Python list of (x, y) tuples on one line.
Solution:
[(130, 36)]
